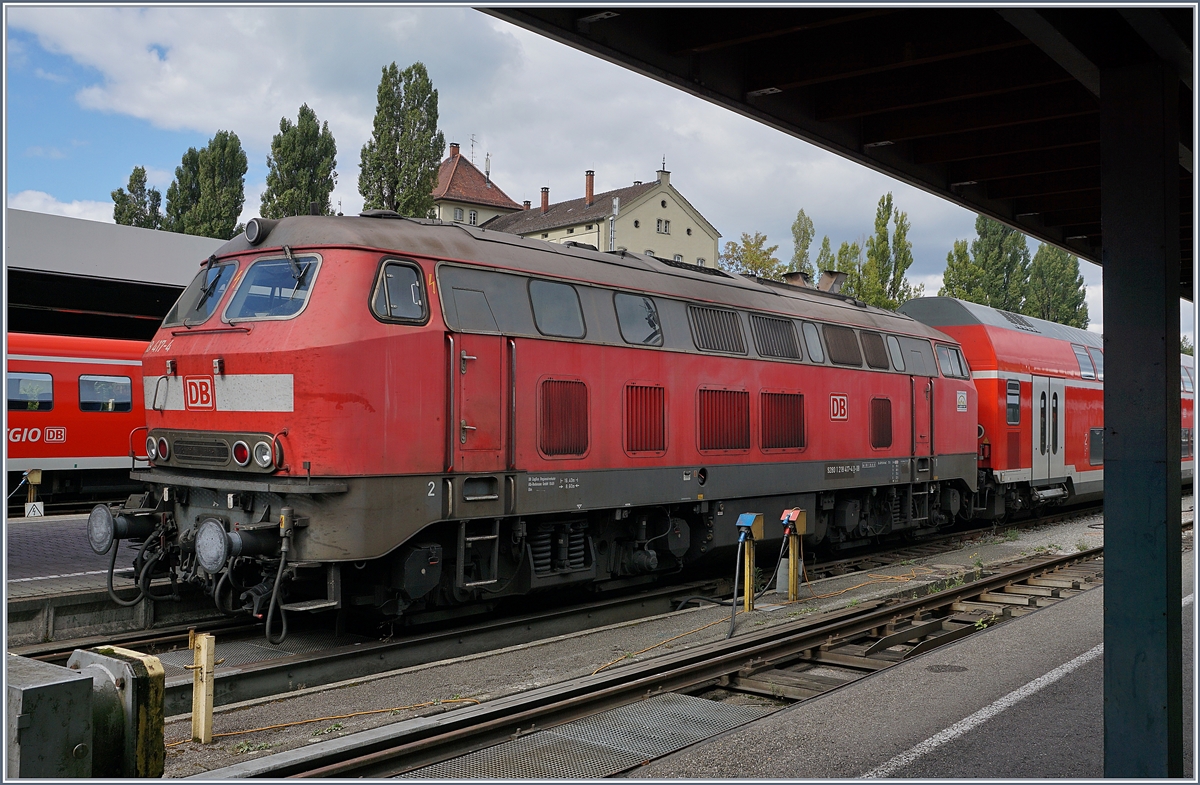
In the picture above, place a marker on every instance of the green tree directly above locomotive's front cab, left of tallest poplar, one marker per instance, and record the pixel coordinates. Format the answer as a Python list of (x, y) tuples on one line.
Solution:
[(301, 167)]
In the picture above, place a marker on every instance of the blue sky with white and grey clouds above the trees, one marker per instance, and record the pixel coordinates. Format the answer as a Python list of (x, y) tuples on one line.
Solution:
[(94, 92)]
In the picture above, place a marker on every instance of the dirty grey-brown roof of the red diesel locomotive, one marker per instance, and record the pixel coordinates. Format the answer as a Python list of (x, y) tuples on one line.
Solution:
[(637, 272)]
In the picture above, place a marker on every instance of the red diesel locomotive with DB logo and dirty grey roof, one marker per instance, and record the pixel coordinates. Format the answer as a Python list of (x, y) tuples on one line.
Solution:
[(407, 416)]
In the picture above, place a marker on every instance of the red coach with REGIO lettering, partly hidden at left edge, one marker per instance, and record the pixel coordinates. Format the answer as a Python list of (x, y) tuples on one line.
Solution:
[(73, 405)]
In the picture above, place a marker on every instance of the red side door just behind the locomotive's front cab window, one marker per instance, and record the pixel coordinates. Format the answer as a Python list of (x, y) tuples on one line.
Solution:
[(477, 429)]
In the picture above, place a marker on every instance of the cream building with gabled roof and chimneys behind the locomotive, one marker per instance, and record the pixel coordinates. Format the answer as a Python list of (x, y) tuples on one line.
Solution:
[(646, 218)]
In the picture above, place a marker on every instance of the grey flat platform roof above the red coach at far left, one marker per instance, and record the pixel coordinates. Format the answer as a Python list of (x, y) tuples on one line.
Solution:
[(70, 277)]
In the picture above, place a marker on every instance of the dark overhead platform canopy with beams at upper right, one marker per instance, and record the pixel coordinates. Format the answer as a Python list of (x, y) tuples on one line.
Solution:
[(994, 110)]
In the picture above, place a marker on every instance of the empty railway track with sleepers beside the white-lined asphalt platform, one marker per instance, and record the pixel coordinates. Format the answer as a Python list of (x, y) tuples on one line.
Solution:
[(789, 662)]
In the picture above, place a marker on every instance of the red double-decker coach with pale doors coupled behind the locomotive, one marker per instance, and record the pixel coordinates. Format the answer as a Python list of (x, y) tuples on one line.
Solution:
[(1041, 404)]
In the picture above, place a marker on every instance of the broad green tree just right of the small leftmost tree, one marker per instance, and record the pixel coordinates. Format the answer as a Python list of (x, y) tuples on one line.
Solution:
[(208, 193)]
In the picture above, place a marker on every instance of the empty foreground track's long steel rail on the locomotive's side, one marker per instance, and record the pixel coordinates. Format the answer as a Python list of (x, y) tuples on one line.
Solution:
[(411, 745)]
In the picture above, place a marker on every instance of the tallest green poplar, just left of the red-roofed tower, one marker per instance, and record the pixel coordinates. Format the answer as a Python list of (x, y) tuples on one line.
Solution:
[(400, 163)]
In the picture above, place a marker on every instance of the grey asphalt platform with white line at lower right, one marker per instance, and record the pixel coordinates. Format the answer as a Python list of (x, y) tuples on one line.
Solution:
[(1019, 700)]
